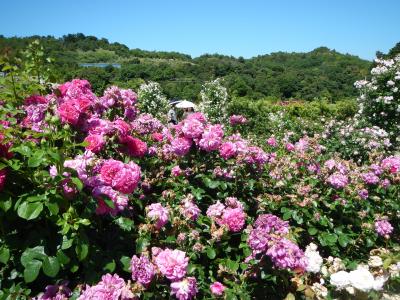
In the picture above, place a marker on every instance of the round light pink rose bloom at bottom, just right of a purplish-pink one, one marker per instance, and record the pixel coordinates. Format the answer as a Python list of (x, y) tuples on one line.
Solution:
[(172, 263)]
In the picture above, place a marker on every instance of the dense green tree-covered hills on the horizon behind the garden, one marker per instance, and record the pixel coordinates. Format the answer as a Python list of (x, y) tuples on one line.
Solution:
[(321, 73)]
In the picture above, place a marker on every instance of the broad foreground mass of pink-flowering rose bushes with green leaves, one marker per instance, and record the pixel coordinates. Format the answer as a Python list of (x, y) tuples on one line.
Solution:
[(101, 201)]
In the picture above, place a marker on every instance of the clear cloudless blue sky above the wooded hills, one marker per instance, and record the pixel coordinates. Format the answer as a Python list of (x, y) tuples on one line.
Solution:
[(240, 28)]
